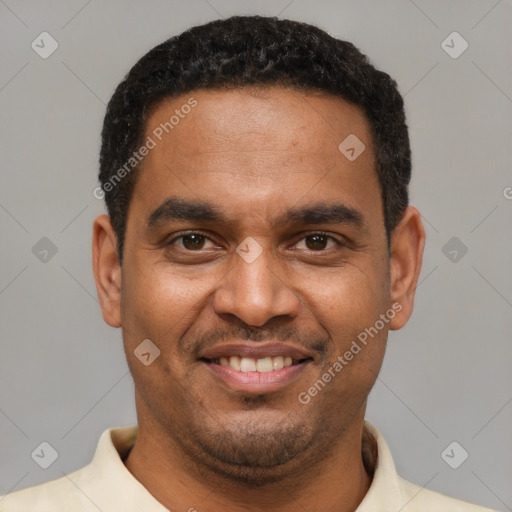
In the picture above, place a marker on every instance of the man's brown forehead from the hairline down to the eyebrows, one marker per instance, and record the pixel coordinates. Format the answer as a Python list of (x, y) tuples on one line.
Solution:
[(255, 150)]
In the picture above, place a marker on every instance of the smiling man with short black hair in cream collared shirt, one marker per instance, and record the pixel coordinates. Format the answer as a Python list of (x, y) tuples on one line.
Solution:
[(259, 247)]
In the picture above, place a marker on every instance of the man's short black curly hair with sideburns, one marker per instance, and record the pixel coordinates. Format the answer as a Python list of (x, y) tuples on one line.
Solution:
[(253, 50)]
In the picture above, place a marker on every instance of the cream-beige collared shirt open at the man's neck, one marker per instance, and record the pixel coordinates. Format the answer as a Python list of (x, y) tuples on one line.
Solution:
[(106, 485)]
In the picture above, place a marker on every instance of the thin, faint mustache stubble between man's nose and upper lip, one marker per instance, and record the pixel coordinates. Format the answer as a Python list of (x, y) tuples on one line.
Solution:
[(314, 341)]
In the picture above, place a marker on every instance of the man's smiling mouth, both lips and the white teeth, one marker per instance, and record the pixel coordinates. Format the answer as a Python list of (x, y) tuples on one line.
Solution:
[(256, 370)]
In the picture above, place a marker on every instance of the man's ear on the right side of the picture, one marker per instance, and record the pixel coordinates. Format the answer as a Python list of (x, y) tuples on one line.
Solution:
[(407, 244)]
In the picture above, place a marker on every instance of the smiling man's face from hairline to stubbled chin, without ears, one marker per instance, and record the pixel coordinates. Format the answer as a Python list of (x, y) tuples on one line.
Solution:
[(318, 282)]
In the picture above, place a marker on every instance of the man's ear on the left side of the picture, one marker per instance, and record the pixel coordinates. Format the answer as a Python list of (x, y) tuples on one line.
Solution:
[(107, 270)]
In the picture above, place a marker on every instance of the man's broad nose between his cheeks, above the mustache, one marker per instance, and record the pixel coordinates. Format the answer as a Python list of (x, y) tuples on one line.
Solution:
[(255, 291)]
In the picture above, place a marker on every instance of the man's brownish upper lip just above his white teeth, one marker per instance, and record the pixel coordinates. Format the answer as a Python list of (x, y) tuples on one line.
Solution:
[(258, 350)]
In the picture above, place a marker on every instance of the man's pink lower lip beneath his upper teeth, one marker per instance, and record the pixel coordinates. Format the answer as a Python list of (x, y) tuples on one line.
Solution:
[(256, 382)]
